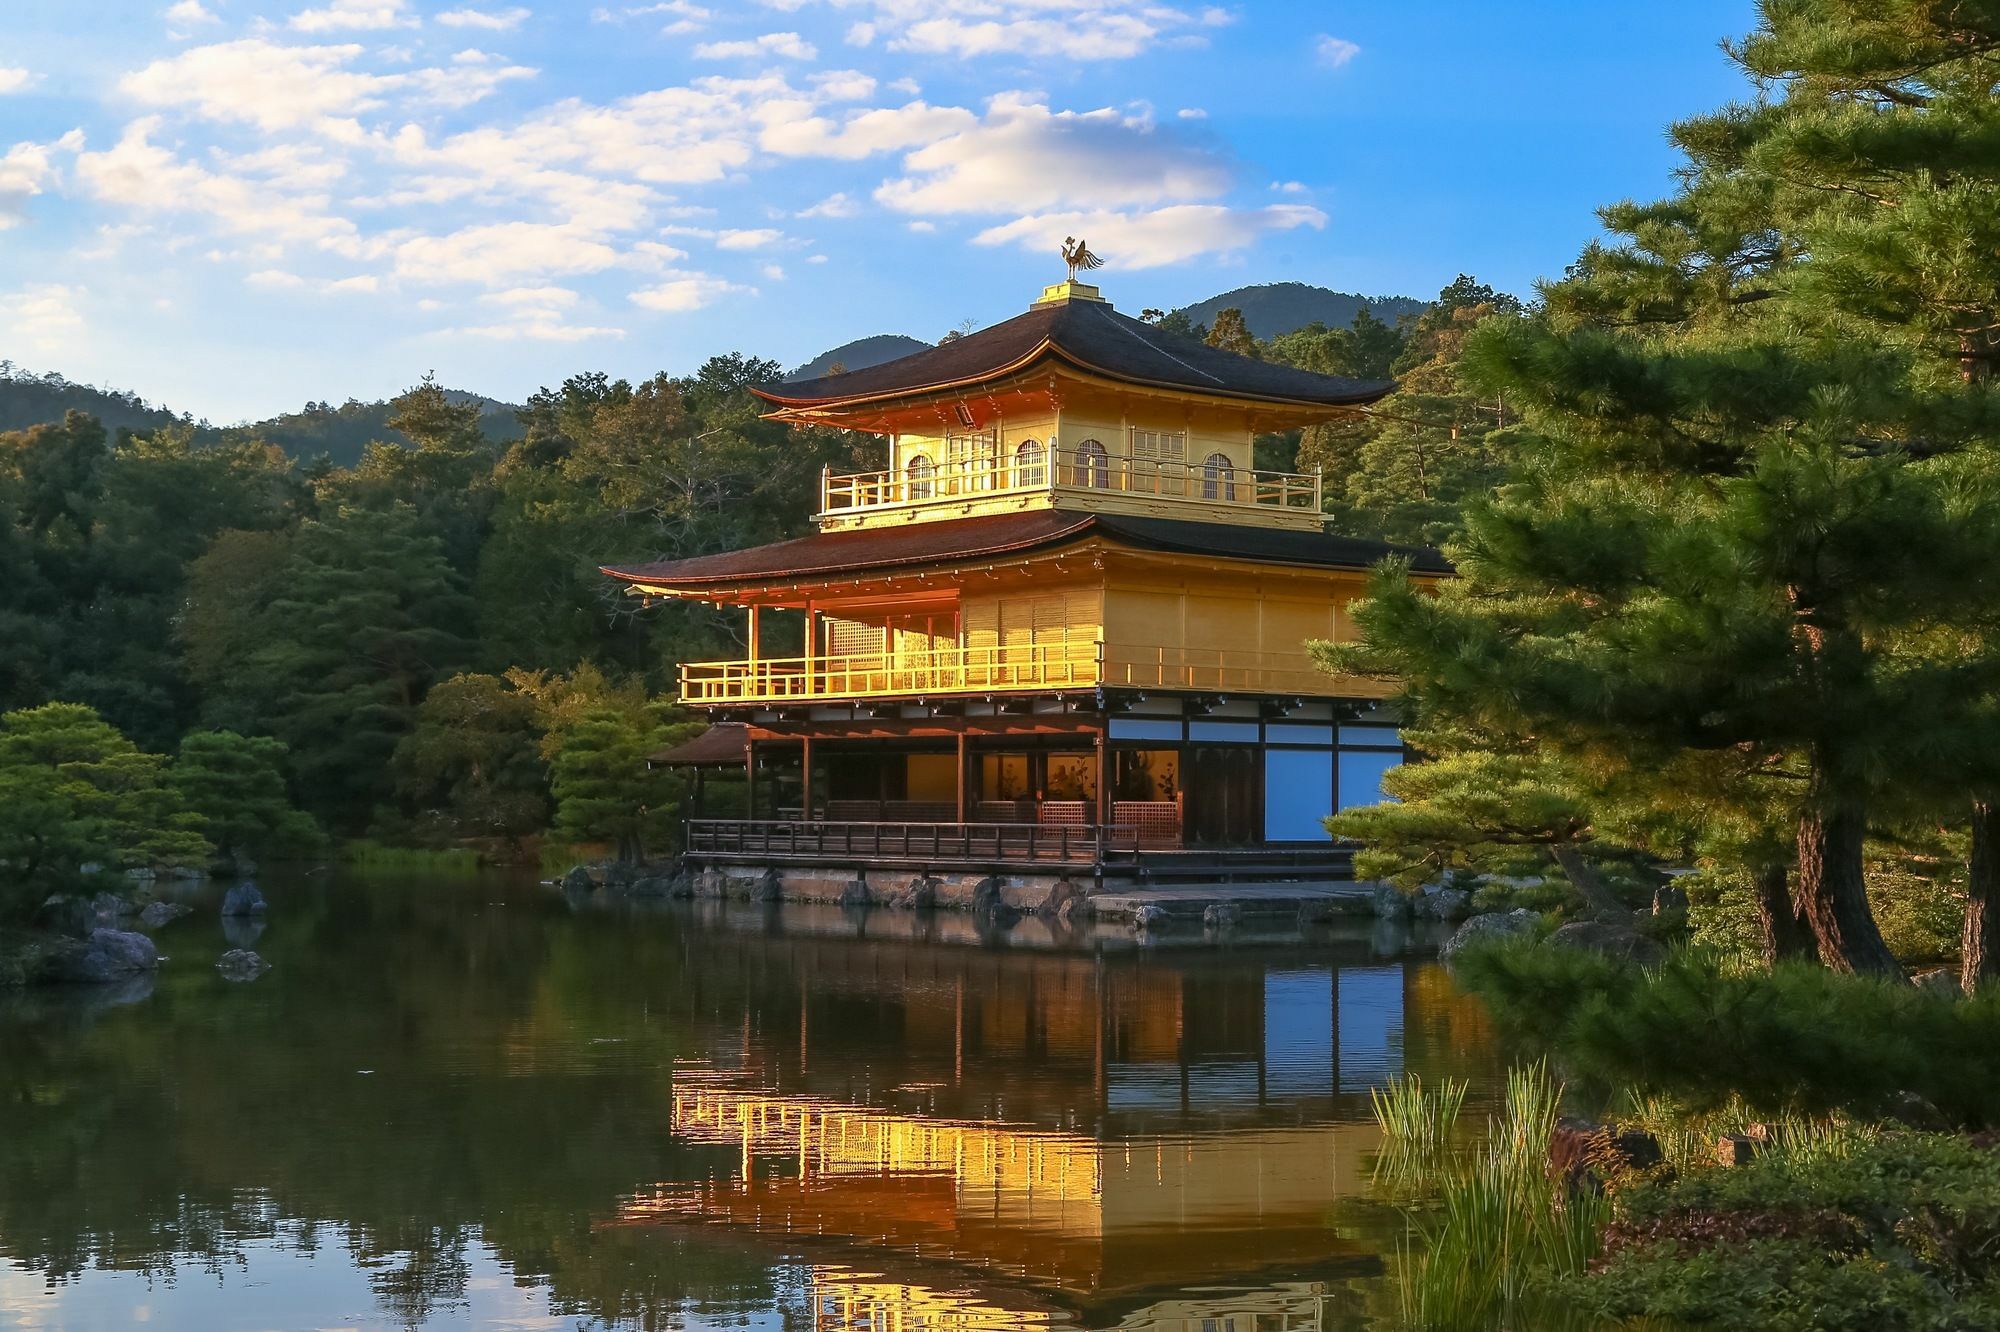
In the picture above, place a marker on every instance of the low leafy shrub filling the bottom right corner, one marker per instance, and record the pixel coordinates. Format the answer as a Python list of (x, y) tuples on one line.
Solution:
[(1887, 1235)]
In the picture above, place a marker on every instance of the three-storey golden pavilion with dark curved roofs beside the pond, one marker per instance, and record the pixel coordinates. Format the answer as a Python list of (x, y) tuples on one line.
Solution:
[(1067, 625)]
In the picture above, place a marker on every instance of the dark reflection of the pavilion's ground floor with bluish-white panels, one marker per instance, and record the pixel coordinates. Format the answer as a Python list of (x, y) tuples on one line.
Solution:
[(1101, 1045)]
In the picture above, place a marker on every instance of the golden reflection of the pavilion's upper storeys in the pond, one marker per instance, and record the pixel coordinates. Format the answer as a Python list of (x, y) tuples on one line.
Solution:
[(1109, 1225)]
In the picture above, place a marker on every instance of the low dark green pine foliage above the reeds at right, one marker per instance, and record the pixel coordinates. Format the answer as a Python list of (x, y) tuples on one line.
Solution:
[(1797, 1039)]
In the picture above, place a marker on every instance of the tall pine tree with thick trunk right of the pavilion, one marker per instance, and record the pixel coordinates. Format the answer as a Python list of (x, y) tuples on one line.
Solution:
[(1761, 515)]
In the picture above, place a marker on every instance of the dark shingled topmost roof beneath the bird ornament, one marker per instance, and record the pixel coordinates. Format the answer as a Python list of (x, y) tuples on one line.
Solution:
[(1093, 337)]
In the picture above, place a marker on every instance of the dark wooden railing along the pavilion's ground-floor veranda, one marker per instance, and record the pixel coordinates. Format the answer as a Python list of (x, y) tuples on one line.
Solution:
[(919, 843)]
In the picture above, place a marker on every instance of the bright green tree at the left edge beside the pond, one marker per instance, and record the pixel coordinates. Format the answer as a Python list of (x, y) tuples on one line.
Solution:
[(75, 793)]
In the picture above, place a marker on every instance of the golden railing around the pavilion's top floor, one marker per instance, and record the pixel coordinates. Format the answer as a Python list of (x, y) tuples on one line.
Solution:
[(1069, 471)]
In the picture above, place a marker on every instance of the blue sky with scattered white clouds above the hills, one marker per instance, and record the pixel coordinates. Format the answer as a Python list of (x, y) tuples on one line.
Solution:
[(235, 207)]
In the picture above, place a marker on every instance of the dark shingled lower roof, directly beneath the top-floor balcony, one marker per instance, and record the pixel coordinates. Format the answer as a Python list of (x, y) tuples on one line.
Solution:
[(995, 535)]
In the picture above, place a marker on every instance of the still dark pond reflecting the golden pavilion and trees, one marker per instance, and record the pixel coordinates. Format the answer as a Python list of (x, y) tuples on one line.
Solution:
[(473, 1103)]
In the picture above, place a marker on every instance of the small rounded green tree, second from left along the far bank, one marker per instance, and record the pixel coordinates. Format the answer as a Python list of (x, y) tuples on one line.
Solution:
[(237, 789)]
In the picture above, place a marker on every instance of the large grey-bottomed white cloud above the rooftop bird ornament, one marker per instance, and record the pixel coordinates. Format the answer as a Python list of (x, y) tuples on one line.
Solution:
[(1027, 157)]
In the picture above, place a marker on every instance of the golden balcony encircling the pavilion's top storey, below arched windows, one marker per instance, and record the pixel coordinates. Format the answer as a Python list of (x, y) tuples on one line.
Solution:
[(1089, 477)]
